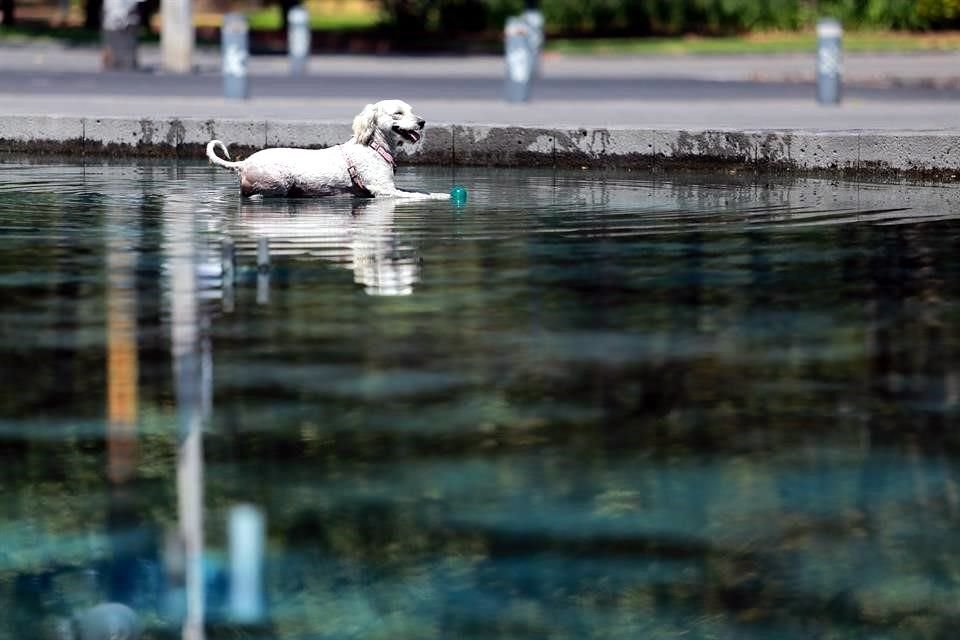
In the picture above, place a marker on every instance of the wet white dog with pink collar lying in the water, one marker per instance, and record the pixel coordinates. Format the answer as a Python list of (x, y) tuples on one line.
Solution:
[(363, 165)]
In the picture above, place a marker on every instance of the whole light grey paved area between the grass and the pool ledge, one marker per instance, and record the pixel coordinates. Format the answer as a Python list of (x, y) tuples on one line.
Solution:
[(919, 91)]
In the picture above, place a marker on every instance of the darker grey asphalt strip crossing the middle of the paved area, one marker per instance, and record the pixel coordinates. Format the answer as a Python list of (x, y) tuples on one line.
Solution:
[(331, 84)]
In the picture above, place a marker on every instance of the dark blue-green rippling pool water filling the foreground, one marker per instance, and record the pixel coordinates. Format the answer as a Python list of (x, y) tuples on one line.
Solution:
[(581, 405)]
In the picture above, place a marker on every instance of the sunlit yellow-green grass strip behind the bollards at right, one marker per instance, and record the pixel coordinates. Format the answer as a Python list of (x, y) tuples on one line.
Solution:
[(758, 43)]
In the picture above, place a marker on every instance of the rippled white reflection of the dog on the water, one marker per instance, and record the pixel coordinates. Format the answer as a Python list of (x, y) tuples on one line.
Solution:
[(358, 234)]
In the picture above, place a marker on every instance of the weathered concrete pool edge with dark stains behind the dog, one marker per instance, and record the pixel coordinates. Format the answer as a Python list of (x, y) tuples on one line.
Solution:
[(931, 155)]
